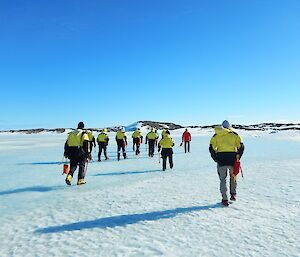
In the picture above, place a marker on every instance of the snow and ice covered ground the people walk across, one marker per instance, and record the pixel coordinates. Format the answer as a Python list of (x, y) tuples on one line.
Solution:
[(131, 208)]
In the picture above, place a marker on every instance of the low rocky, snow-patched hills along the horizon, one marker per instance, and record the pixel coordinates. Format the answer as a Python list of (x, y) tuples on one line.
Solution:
[(170, 126)]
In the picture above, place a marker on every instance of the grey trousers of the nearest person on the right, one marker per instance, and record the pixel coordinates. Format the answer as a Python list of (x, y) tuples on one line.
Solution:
[(223, 171)]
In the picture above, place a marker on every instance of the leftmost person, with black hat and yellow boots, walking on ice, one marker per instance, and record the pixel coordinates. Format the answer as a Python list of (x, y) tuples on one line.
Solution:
[(77, 149)]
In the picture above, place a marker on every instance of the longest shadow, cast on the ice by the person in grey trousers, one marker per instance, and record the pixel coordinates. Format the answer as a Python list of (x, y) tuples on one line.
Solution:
[(124, 220)]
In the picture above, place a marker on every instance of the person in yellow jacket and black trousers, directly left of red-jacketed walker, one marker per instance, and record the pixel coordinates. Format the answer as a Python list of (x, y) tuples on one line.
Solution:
[(166, 145)]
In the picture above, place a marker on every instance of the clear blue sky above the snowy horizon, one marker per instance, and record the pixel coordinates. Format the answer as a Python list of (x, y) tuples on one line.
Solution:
[(116, 62)]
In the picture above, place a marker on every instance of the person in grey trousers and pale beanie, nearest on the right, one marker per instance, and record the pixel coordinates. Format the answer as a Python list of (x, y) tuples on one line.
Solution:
[(226, 146)]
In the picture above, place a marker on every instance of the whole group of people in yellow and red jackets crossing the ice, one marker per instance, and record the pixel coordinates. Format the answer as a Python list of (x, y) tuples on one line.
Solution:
[(226, 147)]
